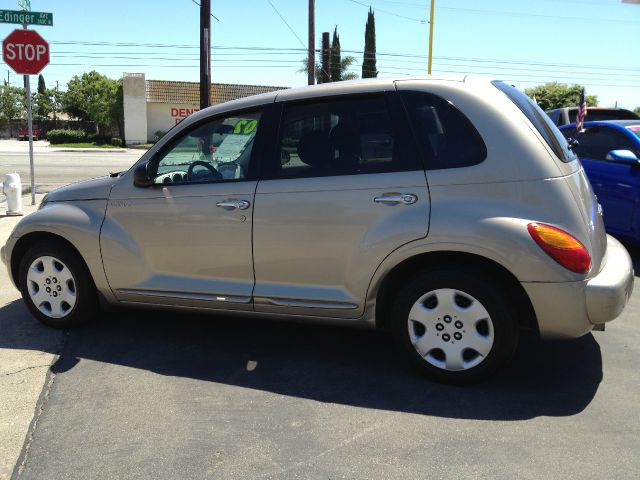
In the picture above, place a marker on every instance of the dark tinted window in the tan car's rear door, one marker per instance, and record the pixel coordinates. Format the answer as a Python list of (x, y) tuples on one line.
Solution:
[(339, 137)]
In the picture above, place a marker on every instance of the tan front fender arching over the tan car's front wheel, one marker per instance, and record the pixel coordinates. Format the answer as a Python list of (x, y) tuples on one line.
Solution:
[(77, 222)]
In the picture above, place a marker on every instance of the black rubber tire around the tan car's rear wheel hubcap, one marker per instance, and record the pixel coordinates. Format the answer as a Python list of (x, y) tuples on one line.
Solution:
[(501, 327)]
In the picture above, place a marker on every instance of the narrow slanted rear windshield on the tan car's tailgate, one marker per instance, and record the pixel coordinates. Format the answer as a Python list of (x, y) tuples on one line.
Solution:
[(540, 121)]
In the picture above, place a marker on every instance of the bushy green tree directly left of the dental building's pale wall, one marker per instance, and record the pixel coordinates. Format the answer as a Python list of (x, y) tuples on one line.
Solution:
[(92, 97)]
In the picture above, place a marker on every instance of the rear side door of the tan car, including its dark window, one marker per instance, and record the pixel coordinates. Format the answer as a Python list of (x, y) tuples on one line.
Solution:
[(343, 189)]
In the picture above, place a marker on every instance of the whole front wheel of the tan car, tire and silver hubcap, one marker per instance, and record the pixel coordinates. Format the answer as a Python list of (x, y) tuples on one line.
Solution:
[(56, 285)]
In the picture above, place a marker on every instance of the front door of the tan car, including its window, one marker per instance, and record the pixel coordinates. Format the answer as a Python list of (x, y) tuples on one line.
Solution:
[(186, 239)]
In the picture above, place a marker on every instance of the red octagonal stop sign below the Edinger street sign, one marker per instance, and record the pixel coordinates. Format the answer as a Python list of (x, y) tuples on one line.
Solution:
[(25, 51)]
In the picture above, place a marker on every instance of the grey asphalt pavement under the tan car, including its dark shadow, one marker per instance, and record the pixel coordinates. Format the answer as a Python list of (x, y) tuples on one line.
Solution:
[(162, 395)]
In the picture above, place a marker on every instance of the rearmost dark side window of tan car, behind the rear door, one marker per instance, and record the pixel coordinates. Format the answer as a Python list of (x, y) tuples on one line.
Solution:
[(447, 138)]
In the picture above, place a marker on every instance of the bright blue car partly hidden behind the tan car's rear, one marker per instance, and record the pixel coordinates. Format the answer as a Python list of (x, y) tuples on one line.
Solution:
[(610, 153)]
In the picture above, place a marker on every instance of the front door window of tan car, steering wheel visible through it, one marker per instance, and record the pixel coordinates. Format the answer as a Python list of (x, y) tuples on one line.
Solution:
[(218, 150)]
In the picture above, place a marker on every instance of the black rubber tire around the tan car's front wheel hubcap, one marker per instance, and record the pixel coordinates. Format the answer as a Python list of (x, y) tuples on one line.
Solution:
[(86, 306)]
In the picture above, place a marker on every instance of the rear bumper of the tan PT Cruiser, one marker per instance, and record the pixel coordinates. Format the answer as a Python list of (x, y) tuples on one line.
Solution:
[(571, 309)]
